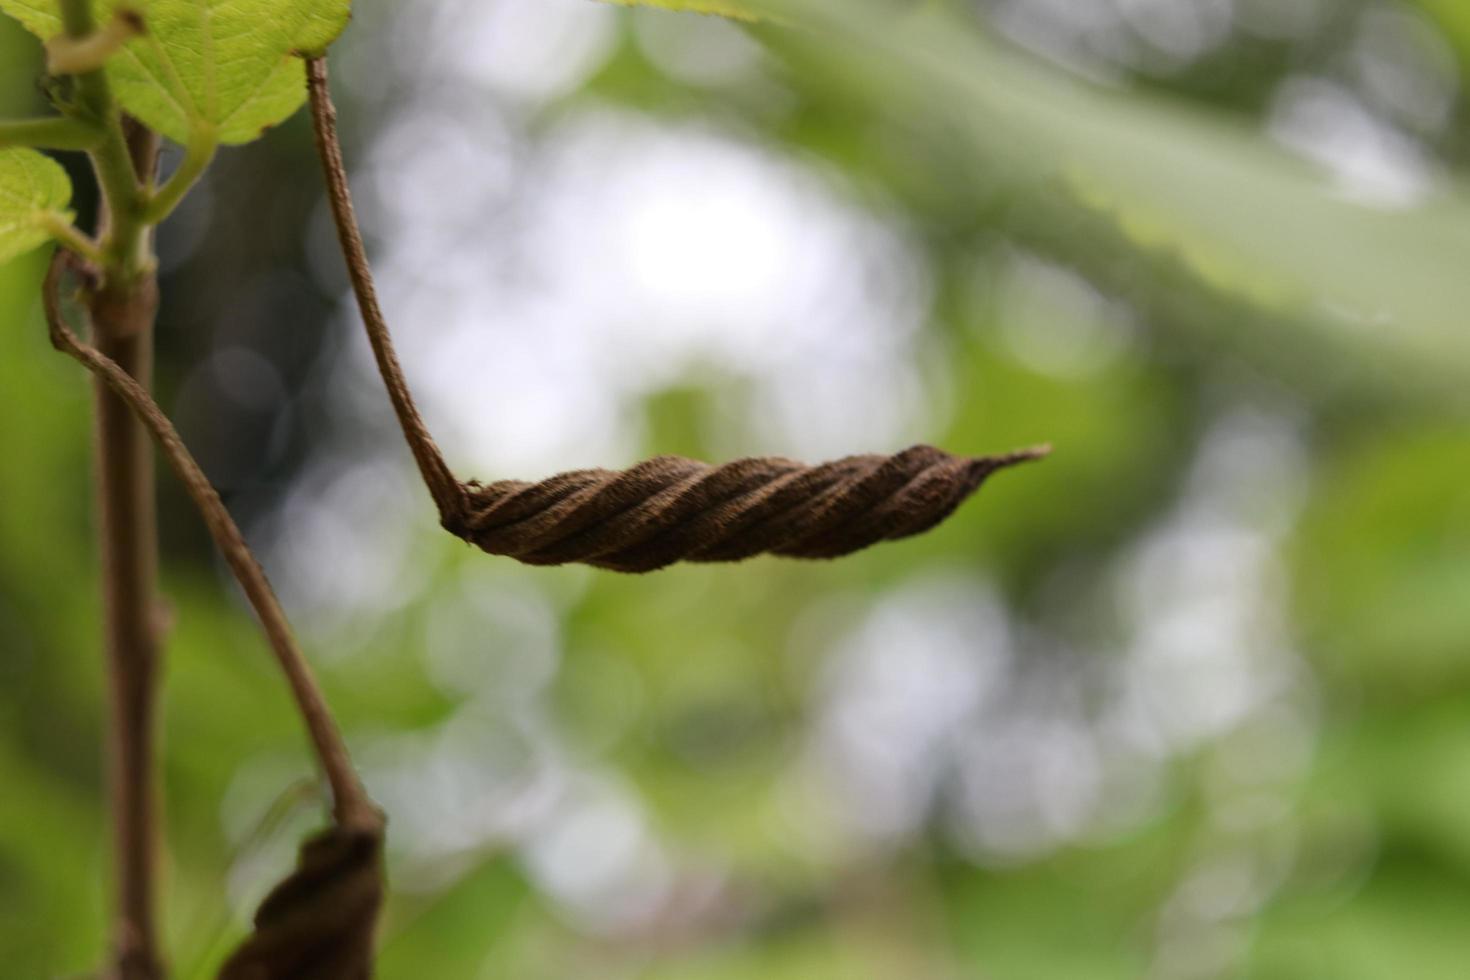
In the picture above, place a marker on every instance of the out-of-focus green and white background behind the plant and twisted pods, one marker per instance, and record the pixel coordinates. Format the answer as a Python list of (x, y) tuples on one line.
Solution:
[(1190, 700)]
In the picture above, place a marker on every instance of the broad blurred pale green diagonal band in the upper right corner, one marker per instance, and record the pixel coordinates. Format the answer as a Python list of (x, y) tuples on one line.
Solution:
[(1249, 220)]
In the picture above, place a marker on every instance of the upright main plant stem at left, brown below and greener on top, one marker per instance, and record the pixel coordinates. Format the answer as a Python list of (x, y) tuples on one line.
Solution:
[(123, 314)]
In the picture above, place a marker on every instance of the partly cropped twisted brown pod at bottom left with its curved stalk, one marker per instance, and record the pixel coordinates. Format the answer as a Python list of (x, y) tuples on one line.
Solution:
[(321, 920)]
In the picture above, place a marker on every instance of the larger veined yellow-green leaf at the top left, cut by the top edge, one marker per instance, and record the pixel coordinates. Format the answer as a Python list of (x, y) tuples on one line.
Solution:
[(224, 68)]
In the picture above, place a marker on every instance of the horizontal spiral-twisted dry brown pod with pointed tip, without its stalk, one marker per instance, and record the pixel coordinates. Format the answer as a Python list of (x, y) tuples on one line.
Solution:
[(671, 509)]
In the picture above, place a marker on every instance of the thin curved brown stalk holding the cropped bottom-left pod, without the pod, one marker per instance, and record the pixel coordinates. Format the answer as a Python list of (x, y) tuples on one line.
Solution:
[(352, 806)]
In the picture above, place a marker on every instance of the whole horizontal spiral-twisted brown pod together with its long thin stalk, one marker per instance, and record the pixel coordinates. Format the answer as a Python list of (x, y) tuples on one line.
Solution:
[(667, 509)]
